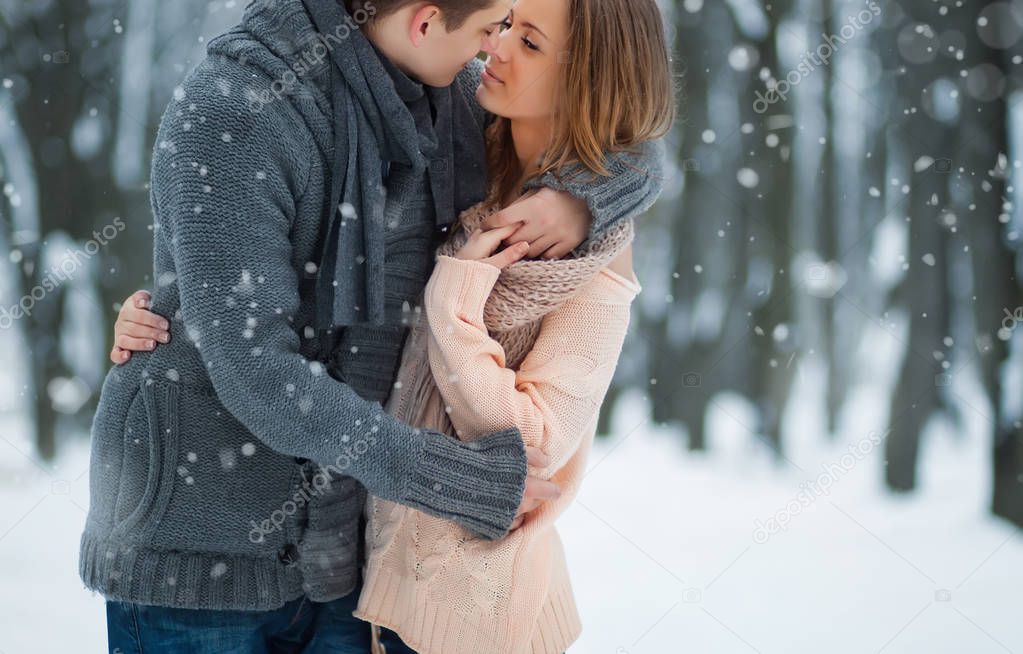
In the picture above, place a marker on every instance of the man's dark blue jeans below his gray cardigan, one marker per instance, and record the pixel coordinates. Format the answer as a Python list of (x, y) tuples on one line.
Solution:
[(300, 626)]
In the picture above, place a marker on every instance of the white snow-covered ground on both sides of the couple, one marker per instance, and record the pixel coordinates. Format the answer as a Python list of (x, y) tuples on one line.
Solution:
[(664, 546)]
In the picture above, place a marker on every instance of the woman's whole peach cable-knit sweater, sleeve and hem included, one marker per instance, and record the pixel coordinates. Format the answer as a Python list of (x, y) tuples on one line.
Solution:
[(440, 588)]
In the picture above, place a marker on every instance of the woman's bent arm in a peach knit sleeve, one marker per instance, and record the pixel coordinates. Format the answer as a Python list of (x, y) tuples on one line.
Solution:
[(558, 389)]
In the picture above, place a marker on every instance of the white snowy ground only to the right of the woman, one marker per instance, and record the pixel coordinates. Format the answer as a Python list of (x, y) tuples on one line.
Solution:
[(666, 556)]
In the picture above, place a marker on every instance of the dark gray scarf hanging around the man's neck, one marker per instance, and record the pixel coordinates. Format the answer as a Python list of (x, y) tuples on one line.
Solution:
[(374, 130)]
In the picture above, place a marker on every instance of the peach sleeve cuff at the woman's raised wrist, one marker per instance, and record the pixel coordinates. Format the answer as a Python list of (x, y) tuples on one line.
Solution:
[(462, 287)]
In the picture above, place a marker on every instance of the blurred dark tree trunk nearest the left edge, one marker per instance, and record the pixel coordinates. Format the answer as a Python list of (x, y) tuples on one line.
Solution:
[(61, 74)]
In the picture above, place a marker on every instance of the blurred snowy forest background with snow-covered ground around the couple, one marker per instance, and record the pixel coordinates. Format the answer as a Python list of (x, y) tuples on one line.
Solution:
[(825, 369)]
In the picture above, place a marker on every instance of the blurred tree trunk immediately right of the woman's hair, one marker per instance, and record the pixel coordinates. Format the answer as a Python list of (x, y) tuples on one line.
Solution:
[(683, 353)]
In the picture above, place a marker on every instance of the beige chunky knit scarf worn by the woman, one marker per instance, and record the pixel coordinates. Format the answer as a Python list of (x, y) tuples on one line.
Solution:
[(525, 292)]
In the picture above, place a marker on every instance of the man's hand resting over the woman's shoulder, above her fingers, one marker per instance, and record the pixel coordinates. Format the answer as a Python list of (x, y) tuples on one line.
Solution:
[(554, 224)]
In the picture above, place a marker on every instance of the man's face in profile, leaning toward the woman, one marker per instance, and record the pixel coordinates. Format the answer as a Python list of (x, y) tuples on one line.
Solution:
[(443, 55)]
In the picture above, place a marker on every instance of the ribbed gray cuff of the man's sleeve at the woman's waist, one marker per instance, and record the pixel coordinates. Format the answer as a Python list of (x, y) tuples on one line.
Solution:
[(478, 485)]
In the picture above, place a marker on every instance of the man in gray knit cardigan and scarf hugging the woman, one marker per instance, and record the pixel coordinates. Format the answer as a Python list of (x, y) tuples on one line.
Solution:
[(302, 178)]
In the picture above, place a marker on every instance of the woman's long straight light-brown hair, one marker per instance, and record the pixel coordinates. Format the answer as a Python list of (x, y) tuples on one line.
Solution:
[(616, 91)]
